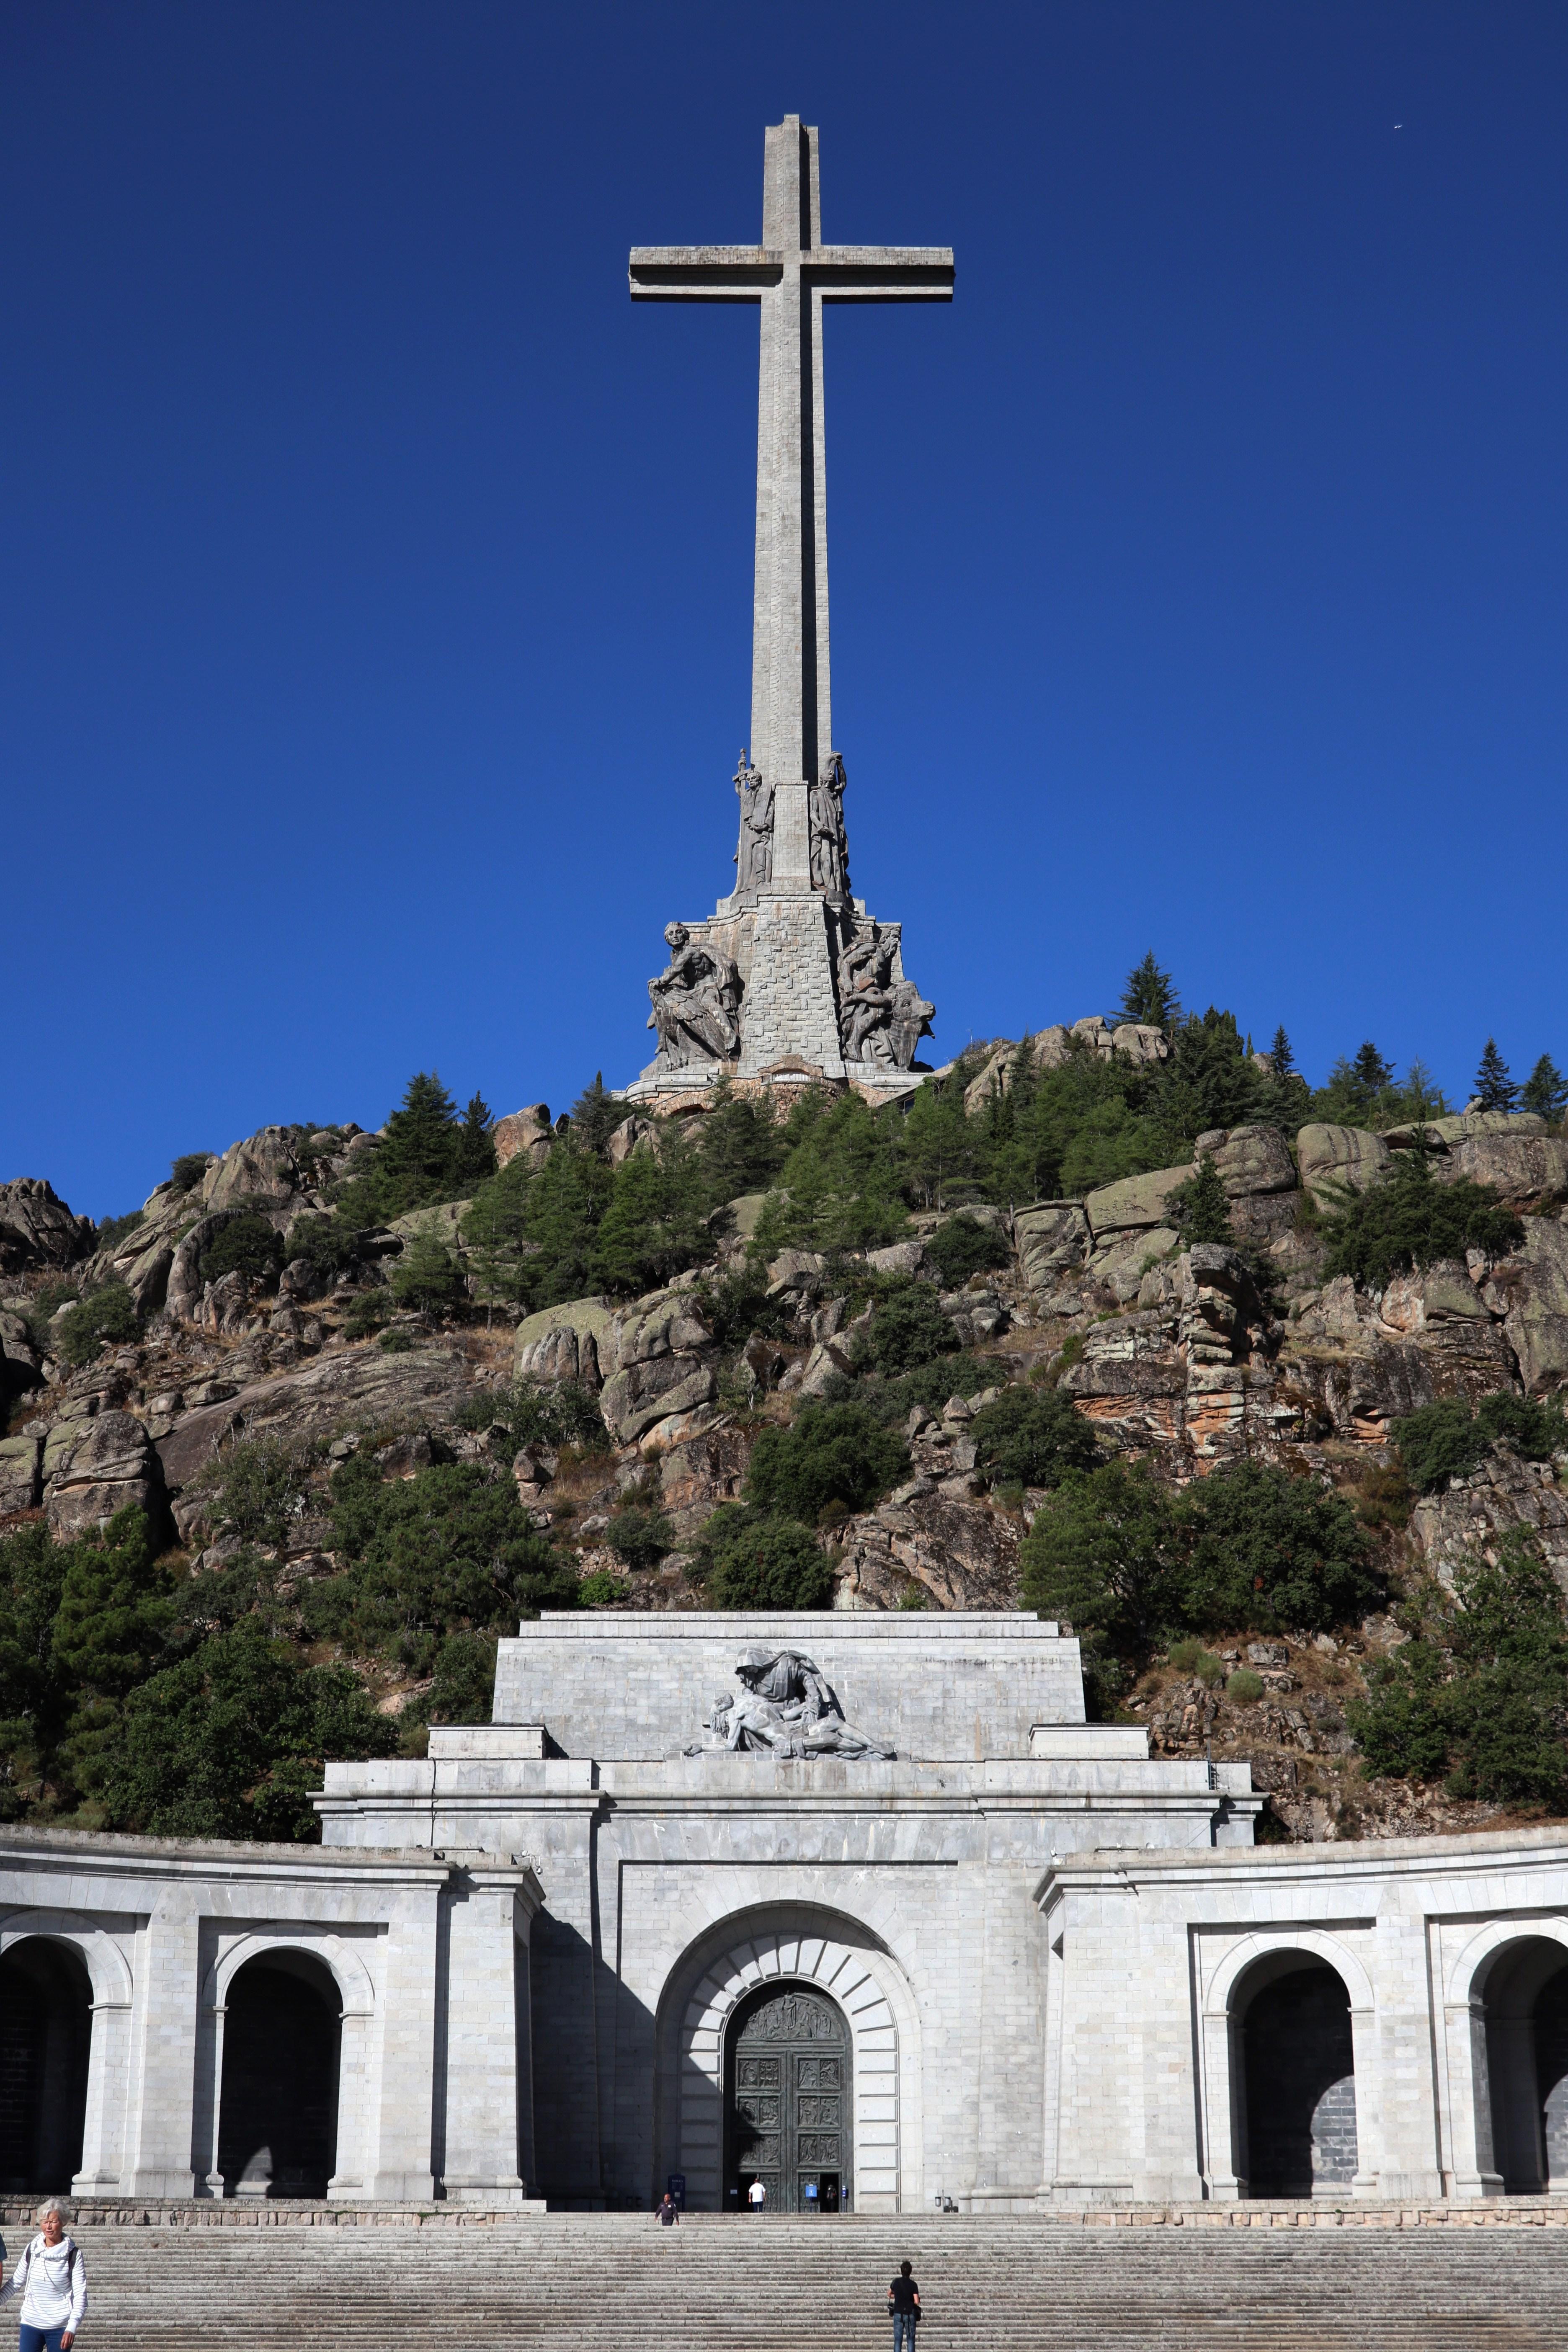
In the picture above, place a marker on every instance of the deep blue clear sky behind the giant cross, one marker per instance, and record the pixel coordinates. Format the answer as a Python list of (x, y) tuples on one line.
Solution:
[(375, 580)]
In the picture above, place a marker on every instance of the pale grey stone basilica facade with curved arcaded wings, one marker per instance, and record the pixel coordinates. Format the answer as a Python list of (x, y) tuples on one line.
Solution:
[(855, 1906)]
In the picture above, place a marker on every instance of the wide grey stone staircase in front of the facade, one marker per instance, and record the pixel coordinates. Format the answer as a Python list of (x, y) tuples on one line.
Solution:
[(617, 2283)]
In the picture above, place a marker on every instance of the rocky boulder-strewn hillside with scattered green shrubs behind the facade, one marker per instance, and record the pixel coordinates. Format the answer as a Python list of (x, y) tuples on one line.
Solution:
[(784, 1375)]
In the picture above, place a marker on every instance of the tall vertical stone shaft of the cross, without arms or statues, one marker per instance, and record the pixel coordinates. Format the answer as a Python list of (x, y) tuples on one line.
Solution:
[(791, 669)]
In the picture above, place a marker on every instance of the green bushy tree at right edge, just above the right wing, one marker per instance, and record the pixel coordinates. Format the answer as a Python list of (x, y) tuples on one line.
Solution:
[(1480, 1692)]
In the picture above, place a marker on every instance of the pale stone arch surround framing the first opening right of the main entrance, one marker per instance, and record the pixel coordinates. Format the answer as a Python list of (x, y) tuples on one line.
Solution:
[(1289, 2069)]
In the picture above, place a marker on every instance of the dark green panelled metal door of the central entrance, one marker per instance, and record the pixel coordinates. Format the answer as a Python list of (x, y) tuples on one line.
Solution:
[(789, 2102)]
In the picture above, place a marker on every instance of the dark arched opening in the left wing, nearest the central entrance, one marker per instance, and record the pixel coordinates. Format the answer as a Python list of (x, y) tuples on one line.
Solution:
[(279, 2118)]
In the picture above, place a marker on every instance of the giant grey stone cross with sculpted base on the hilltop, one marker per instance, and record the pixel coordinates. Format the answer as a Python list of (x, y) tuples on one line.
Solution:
[(789, 977)]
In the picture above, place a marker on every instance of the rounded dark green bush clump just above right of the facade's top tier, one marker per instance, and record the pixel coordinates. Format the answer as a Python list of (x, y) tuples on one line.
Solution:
[(1247, 1549)]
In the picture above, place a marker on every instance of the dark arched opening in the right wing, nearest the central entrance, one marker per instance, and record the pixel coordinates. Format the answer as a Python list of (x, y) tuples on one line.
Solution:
[(1299, 2080)]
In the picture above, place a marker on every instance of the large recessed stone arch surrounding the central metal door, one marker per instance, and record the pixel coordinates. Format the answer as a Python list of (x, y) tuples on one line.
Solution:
[(812, 1946)]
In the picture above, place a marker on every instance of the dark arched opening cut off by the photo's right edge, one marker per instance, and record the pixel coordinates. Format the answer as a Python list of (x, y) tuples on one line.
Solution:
[(1527, 2066)]
